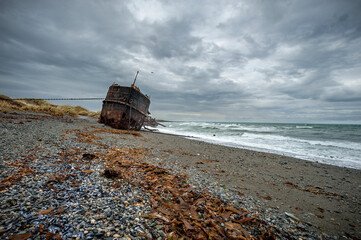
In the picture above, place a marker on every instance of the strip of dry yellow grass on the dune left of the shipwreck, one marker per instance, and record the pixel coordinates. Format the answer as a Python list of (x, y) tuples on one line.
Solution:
[(40, 106)]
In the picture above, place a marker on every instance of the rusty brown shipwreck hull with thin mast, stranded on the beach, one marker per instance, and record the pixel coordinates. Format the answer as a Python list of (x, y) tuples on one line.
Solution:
[(125, 107)]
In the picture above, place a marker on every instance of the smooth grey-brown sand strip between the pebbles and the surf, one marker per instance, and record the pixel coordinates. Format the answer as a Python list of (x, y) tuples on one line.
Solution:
[(322, 196)]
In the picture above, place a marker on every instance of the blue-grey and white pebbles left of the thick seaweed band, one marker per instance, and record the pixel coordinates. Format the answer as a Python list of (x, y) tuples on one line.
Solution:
[(88, 206)]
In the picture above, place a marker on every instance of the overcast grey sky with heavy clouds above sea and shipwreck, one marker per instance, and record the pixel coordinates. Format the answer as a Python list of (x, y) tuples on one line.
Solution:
[(264, 61)]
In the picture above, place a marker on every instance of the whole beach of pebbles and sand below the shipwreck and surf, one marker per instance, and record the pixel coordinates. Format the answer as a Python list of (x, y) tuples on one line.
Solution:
[(54, 185)]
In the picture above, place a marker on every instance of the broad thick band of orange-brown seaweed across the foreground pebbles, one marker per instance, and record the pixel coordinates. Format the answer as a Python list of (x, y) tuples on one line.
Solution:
[(185, 212)]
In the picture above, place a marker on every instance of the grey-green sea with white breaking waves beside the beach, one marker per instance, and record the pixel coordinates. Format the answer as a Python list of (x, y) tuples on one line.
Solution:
[(338, 145)]
